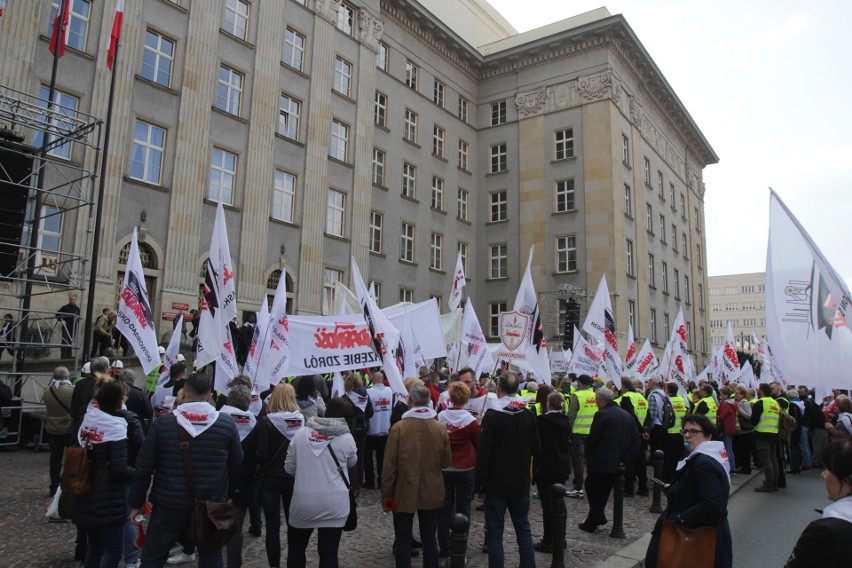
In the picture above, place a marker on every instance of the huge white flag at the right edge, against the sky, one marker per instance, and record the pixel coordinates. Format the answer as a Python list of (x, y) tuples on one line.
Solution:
[(806, 305)]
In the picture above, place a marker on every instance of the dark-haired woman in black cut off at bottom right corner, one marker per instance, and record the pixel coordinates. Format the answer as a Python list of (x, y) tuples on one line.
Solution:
[(826, 541)]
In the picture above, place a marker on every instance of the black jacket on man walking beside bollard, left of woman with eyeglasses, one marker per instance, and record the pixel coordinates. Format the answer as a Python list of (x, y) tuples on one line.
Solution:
[(613, 439)]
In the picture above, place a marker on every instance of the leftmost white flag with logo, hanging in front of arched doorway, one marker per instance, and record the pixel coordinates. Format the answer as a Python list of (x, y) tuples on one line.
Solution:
[(135, 319)]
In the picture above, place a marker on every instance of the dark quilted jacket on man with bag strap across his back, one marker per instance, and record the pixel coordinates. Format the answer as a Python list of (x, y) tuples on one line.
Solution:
[(210, 455)]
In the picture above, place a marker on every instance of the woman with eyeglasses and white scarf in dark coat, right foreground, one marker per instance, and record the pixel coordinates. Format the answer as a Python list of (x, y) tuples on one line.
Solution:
[(698, 494)]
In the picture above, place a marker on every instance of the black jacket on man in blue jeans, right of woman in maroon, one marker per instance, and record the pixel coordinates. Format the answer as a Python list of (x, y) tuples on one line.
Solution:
[(507, 441)]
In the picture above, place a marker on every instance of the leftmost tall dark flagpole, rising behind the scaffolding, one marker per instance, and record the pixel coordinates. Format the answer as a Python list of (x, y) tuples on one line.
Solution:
[(36, 210)]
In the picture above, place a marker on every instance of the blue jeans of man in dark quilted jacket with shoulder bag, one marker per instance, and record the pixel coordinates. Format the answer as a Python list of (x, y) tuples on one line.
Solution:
[(164, 528)]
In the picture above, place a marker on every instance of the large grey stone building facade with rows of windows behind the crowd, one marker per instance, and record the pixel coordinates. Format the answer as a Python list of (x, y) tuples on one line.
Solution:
[(396, 132)]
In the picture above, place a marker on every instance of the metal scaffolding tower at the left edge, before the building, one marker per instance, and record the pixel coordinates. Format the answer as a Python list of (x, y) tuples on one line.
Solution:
[(65, 189)]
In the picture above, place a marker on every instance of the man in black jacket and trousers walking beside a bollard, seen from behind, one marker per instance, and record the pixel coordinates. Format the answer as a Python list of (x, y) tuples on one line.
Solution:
[(613, 440)]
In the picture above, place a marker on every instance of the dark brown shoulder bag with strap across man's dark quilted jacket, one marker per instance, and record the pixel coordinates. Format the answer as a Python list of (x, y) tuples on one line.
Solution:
[(211, 523)]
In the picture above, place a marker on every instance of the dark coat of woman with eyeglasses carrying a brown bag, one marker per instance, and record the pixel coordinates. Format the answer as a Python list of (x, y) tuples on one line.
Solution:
[(698, 497)]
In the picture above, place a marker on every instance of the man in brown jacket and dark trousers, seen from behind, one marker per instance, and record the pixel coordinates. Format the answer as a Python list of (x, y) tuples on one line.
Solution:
[(417, 450)]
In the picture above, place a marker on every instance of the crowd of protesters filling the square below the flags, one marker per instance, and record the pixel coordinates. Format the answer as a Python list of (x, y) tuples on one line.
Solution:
[(453, 441)]
